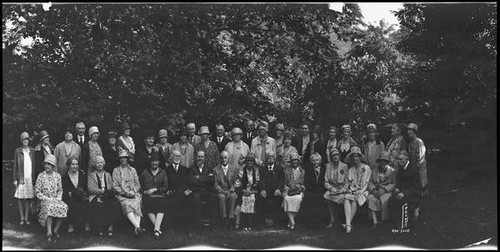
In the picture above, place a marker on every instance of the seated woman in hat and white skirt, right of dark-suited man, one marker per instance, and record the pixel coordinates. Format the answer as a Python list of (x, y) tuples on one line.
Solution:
[(294, 189)]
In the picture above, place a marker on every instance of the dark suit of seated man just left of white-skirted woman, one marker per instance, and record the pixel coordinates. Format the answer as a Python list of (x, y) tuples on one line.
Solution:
[(270, 207)]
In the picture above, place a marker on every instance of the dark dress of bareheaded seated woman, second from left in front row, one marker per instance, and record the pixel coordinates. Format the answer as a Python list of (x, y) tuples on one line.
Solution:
[(78, 204)]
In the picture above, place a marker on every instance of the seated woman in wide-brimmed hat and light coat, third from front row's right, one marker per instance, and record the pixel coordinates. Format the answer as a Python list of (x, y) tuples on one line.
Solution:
[(359, 177)]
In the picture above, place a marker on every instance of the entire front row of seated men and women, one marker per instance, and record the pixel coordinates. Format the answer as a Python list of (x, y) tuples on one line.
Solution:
[(100, 200)]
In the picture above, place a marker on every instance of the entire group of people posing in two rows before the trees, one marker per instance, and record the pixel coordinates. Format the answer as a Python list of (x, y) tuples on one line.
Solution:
[(230, 180)]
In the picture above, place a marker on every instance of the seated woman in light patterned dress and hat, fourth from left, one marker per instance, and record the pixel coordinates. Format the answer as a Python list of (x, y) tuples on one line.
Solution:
[(126, 185)]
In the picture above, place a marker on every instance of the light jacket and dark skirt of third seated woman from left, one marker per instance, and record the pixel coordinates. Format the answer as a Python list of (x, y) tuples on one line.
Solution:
[(104, 211)]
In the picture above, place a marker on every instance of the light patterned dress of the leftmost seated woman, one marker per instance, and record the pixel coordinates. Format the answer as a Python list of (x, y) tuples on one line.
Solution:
[(49, 191)]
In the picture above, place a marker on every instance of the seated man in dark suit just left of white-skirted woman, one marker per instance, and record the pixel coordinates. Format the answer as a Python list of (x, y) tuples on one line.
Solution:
[(272, 181)]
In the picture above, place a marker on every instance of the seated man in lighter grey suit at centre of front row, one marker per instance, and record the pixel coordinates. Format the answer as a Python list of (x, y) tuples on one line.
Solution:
[(225, 183)]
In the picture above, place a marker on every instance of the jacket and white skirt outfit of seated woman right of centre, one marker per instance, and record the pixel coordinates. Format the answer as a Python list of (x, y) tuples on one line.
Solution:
[(294, 179)]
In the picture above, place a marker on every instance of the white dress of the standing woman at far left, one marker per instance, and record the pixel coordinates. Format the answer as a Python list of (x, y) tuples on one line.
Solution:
[(24, 188)]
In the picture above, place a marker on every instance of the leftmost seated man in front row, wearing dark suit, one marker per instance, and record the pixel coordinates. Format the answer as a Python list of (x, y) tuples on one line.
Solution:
[(180, 199)]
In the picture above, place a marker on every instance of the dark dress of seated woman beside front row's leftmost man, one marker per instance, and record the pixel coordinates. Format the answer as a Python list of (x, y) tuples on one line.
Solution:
[(156, 202)]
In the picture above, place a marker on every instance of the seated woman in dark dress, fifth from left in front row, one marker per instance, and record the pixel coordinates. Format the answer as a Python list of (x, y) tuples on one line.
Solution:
[(154, 185)]
